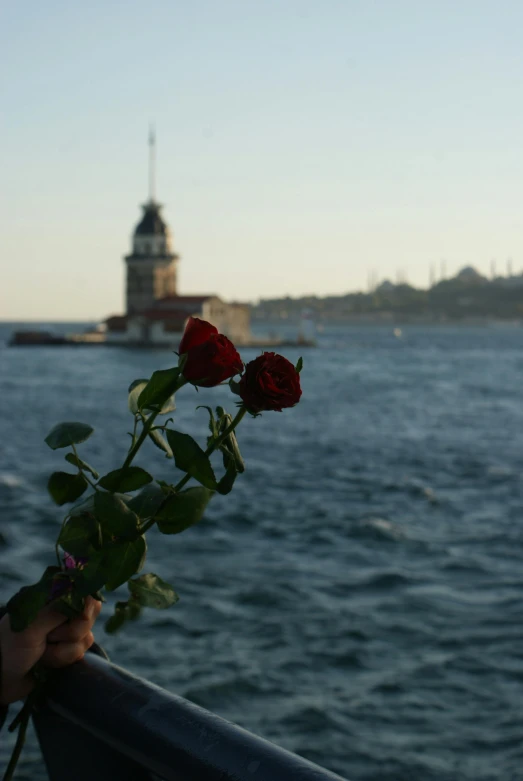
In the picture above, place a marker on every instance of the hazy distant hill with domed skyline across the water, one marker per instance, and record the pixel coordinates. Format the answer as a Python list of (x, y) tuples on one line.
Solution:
[(468, 296)]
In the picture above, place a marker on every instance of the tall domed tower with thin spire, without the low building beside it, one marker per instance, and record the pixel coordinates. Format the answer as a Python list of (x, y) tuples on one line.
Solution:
[(151, 266)]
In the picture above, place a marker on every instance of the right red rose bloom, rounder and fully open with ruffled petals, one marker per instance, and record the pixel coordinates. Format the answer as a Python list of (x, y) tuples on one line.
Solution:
[(270, 382)]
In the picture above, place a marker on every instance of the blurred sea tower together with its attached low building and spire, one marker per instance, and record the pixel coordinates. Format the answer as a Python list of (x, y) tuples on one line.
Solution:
[(155, 313)]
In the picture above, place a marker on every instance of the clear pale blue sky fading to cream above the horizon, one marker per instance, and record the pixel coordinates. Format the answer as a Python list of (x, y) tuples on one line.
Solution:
[(301, 145)]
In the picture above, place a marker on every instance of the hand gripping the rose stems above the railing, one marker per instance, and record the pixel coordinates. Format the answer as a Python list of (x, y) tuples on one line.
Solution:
[(51, 639)]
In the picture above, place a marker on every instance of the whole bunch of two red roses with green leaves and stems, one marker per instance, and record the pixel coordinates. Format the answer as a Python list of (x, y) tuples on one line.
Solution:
[(102, 540)]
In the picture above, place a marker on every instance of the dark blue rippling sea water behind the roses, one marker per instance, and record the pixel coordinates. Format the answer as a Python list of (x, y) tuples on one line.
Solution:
[(358, 598)]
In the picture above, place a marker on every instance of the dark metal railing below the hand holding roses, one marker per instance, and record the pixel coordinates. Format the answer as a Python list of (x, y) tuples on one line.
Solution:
[(101, 722)]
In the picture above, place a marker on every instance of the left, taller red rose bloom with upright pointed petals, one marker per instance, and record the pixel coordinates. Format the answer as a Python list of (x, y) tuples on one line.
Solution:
[(210, 358)]
